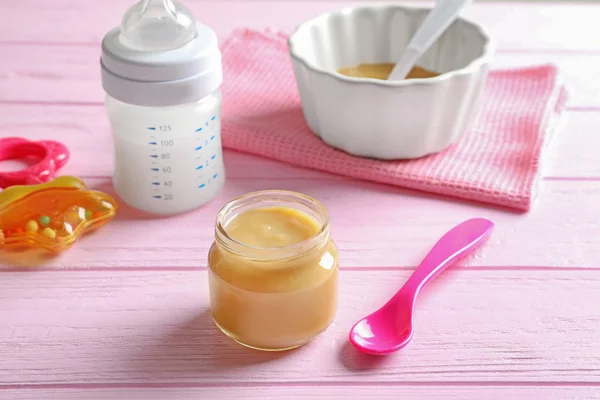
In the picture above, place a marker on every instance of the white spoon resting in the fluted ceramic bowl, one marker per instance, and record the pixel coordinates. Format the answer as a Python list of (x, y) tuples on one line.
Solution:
[(436, 22)]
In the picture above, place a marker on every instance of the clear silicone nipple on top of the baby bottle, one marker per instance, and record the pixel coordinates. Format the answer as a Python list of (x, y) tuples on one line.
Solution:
[(157, 25)]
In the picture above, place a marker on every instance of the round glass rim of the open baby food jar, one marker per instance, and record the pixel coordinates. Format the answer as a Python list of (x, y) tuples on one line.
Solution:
[(277, 195)]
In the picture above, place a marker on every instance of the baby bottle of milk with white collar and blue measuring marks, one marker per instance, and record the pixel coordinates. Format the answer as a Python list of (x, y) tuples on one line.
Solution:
[(161, 71)]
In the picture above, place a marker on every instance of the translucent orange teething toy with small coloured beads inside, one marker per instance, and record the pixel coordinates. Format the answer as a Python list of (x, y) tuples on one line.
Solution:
[(51, 215)]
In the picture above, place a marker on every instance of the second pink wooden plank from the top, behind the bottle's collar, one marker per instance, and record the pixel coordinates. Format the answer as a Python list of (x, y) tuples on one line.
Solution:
[(37, 73)]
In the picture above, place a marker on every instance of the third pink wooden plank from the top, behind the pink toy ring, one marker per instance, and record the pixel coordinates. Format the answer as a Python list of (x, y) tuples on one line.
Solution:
[(85, 130)]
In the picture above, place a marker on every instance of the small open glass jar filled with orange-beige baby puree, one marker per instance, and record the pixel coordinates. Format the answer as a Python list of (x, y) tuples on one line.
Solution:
[(278, 294)]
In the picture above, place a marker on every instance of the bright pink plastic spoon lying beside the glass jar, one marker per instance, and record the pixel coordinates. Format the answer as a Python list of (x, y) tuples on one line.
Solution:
[(390, 328)]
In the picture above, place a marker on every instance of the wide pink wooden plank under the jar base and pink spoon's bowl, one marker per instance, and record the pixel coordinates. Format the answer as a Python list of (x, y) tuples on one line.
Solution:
[(85, 327)]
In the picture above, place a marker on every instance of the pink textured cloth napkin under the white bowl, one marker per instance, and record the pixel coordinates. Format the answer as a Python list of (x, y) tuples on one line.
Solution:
[(497, 161)]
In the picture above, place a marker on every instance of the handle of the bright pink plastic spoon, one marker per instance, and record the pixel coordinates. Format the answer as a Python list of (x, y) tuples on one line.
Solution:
[(457, 242)]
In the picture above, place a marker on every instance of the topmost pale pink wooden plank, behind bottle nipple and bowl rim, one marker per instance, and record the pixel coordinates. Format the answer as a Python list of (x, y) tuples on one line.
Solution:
[(554, 27)]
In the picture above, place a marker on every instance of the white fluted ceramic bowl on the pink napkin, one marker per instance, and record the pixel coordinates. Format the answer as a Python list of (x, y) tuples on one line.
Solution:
[(385, 119)]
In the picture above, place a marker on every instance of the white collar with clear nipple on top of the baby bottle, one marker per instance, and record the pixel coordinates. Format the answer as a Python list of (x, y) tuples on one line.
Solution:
[(160, 56)]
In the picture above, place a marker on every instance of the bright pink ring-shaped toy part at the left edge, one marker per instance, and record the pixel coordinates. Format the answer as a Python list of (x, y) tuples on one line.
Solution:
[(52, 156)]
